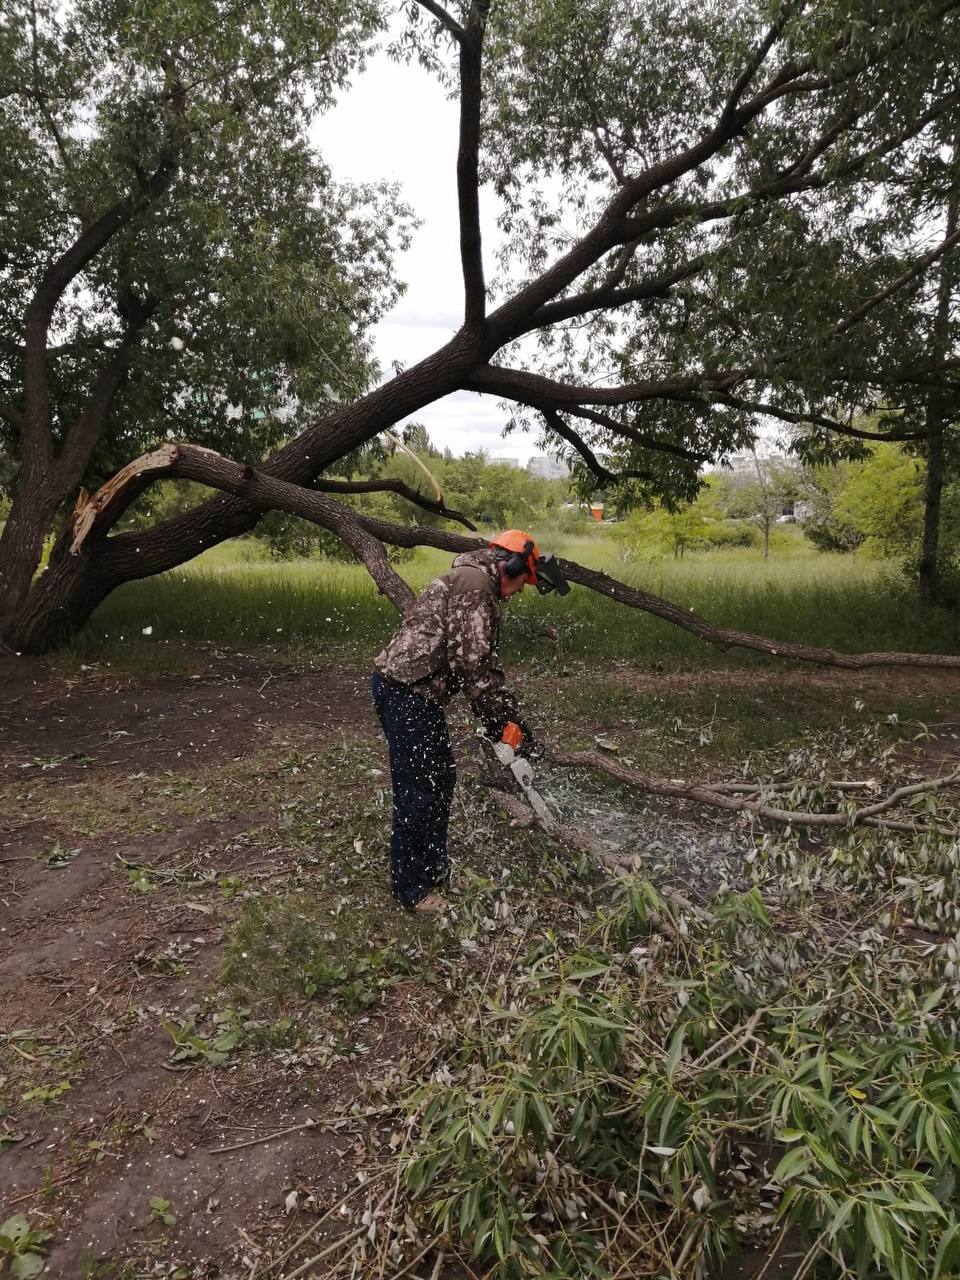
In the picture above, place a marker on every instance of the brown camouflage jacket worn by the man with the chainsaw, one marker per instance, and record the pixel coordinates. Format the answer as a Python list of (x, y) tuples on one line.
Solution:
[(447, 643)]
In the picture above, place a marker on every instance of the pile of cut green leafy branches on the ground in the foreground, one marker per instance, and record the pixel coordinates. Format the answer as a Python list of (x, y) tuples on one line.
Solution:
[(778, 1069)]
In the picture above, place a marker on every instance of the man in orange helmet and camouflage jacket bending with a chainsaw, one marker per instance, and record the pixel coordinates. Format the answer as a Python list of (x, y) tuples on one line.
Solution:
[(447, 646)]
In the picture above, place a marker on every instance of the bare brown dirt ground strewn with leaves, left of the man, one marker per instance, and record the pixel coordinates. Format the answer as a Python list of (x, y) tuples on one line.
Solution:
[(126, 856)]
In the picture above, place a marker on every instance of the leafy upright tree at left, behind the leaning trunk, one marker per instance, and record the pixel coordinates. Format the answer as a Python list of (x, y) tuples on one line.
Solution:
[(173, 249)]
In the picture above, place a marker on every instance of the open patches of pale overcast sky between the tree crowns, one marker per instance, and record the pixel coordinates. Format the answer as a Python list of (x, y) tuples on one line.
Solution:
[(397, 124)]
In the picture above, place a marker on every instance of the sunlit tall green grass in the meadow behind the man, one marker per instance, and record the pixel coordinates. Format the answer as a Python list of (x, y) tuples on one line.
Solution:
[(235, 597)]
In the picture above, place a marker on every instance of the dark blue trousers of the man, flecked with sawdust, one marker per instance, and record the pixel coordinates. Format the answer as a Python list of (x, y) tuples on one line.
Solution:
[(423, 771)]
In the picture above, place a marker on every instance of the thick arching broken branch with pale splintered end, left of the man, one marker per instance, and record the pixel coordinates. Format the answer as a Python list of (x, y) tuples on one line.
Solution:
[(205, 467)]
